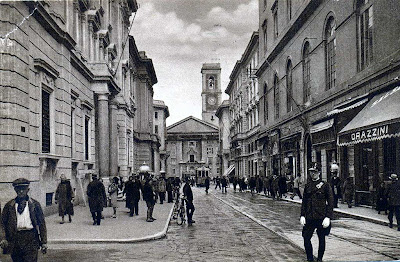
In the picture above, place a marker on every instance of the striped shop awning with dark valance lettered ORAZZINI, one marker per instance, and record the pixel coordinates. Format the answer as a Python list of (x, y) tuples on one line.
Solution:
[(379, 119)]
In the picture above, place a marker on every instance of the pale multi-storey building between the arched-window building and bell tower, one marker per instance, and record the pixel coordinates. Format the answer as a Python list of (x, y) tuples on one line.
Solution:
[(243, 107)]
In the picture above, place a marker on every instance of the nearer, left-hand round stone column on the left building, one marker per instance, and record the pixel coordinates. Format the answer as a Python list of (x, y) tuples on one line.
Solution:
[(104, 142)]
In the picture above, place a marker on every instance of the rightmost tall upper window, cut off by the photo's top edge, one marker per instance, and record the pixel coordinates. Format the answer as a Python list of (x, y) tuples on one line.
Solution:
[(365, 26)]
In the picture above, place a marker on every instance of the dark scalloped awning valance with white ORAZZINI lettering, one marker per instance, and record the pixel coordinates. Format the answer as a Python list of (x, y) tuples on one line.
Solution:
[(370, 134)]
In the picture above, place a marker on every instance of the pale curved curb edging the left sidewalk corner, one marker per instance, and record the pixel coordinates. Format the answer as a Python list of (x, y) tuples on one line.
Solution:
[(155, 236)]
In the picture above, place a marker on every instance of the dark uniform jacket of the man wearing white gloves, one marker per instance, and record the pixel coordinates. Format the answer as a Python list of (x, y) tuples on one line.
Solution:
[(317, 200)]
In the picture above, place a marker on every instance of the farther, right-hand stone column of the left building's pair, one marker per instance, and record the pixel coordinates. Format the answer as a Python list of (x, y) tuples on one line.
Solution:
[(113, 139)]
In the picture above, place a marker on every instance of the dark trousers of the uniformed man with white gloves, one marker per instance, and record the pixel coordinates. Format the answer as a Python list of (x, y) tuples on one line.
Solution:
[(308, 231)]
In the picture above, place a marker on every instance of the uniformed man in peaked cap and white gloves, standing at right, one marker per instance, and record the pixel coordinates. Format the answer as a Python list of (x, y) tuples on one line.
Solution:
[(316, 213)]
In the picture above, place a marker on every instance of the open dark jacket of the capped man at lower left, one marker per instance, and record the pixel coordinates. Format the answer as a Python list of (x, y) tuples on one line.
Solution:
[(9, 221)]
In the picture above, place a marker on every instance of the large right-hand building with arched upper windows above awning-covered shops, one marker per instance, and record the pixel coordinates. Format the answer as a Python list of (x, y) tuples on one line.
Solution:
[(329, 77)]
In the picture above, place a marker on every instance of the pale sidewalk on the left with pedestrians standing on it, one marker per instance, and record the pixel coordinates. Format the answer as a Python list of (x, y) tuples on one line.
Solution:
[(123, 229)]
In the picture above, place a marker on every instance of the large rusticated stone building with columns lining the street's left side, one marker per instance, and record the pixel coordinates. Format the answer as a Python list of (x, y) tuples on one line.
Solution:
[(69, 91)]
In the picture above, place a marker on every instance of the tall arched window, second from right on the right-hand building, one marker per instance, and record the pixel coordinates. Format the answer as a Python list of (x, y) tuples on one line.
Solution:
[(330, 36)]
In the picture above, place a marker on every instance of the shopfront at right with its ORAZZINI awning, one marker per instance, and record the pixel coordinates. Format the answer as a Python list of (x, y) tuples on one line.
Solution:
[(370, 143)]
